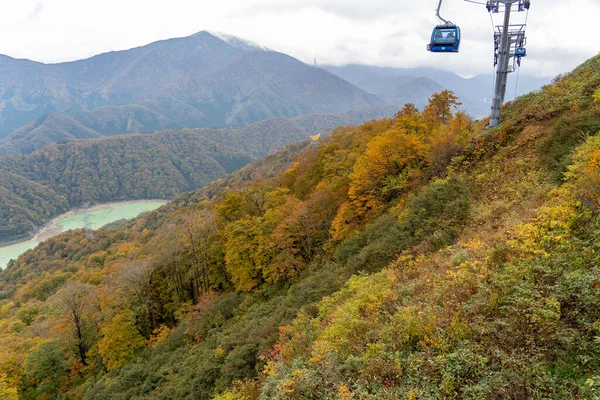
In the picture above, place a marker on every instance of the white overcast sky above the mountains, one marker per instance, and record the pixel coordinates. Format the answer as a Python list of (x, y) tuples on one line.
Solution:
[(561, 33)]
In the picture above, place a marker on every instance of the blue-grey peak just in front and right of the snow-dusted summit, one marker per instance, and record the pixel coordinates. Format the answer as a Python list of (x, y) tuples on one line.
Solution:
[(259, 86)]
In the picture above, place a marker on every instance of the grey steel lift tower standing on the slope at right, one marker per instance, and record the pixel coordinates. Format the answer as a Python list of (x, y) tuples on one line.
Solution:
[(509, 44)]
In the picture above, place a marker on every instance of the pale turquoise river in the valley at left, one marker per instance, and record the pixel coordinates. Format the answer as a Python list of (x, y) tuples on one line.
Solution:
[(99, 216)]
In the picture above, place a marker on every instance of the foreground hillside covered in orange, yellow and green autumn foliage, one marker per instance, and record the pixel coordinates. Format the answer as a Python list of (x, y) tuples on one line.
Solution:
[(414, 257)]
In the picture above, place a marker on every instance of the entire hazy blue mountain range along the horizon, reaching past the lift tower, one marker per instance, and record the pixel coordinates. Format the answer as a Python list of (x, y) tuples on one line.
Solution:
[(205, 80)]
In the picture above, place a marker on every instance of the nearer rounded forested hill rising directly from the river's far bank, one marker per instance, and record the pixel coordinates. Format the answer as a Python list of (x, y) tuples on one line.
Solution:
[(152, 166)]
